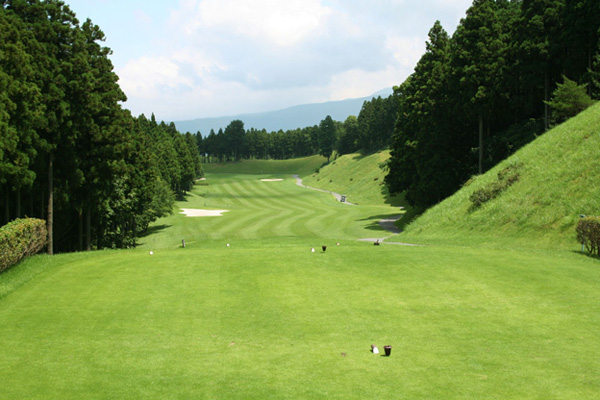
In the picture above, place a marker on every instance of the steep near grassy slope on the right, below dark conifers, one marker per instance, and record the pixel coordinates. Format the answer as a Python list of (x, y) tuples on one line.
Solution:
[(559, 176)]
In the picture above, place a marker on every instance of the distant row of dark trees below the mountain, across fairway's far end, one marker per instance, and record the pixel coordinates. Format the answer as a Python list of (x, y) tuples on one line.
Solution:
[(370, 131)]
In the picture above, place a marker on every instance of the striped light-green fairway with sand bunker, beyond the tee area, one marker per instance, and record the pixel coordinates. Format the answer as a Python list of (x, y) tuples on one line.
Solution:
[(258, 209)]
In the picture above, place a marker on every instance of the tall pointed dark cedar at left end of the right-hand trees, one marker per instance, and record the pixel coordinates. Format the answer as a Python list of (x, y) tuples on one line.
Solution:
[(422, 159)]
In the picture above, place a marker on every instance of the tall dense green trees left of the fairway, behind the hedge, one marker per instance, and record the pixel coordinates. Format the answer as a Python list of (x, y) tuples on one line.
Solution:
[(69, 153)]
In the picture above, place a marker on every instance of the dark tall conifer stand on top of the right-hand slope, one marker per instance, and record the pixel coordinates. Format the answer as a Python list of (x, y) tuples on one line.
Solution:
[(477, 96)]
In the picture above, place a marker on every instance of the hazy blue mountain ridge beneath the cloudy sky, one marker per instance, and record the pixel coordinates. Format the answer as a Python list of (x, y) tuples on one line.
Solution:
[(289, 118)]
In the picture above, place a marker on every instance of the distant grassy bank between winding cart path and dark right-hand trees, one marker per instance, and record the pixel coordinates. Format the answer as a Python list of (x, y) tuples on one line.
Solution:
[(357, 176)]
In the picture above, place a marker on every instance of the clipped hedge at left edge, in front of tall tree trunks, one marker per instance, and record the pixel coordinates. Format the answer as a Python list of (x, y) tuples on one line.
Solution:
[(21, 238)]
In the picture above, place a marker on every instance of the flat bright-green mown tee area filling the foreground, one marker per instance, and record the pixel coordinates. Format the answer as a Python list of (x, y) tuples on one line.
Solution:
[(276, 321)]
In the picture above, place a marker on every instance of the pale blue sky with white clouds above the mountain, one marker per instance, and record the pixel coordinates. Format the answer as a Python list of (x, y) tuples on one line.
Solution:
[(191, 59)]
